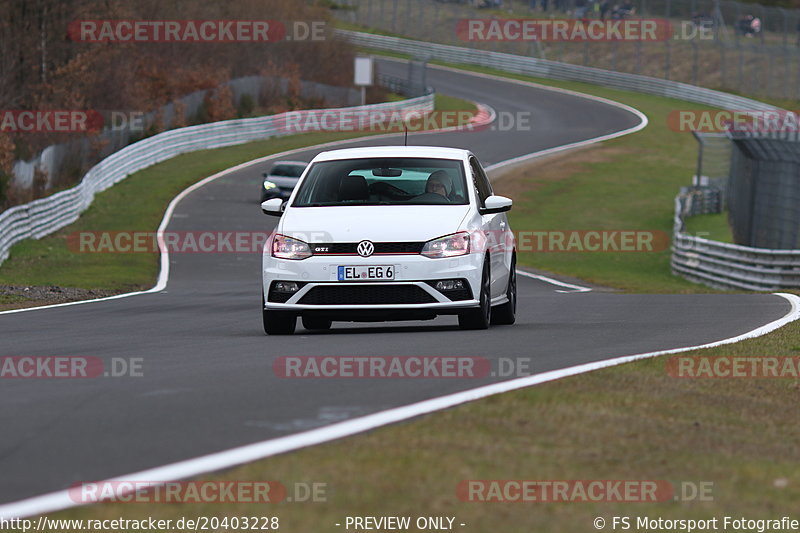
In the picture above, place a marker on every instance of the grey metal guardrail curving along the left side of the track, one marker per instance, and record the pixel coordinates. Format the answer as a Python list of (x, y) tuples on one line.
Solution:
[(46, 215)]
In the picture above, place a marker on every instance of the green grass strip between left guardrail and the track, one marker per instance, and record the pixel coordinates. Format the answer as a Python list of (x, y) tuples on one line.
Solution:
[(137, 204)]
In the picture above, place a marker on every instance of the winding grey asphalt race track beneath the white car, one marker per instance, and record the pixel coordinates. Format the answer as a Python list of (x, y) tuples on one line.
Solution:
[(208, 381)]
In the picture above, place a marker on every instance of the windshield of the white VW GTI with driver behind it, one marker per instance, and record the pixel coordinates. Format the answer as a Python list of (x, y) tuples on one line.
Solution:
[(383, 181)]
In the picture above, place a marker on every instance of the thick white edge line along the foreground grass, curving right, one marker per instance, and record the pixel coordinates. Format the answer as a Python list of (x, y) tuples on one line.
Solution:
[(59, 500)]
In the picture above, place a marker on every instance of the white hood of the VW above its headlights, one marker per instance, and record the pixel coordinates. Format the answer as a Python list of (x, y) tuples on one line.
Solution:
[(381, 223)]
